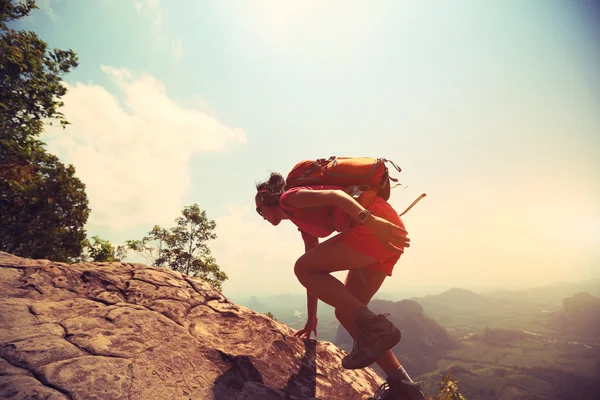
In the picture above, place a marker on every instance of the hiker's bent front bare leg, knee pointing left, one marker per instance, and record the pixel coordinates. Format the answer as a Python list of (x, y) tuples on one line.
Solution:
[(313, 270)]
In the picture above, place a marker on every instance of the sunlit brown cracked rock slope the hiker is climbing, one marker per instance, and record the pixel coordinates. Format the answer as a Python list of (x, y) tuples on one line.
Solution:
[(129, 331)]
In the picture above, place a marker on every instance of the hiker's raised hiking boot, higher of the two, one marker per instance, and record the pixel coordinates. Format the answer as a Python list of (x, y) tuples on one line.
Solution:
[(374, 335)]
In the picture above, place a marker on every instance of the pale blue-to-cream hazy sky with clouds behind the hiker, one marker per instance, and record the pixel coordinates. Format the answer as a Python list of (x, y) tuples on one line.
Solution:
[(490, 108)]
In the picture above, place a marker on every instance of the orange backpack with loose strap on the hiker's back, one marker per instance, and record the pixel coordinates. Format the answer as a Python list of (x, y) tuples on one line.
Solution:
[(364, 178)]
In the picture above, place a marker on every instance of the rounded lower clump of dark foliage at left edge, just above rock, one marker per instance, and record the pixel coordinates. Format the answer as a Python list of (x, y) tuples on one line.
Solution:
[(43, 208)]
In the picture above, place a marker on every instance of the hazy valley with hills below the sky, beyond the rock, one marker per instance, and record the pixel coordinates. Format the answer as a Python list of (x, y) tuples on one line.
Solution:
[(536, 344)]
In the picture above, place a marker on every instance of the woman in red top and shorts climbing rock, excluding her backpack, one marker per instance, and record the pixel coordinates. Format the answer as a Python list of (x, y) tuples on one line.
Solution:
[(369, 248)]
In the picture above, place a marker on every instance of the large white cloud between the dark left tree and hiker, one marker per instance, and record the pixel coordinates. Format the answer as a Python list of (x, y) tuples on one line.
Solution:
[(133, 158)]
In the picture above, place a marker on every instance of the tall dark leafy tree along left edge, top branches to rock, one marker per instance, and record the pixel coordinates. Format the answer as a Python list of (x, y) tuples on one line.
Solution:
[(43, 206)]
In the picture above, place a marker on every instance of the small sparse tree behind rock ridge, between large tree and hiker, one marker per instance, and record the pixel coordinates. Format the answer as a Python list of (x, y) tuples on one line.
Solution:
[(183, 247)]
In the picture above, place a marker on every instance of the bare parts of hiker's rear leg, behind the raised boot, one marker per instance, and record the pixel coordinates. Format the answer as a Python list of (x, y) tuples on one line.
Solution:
[(364, 288)]
